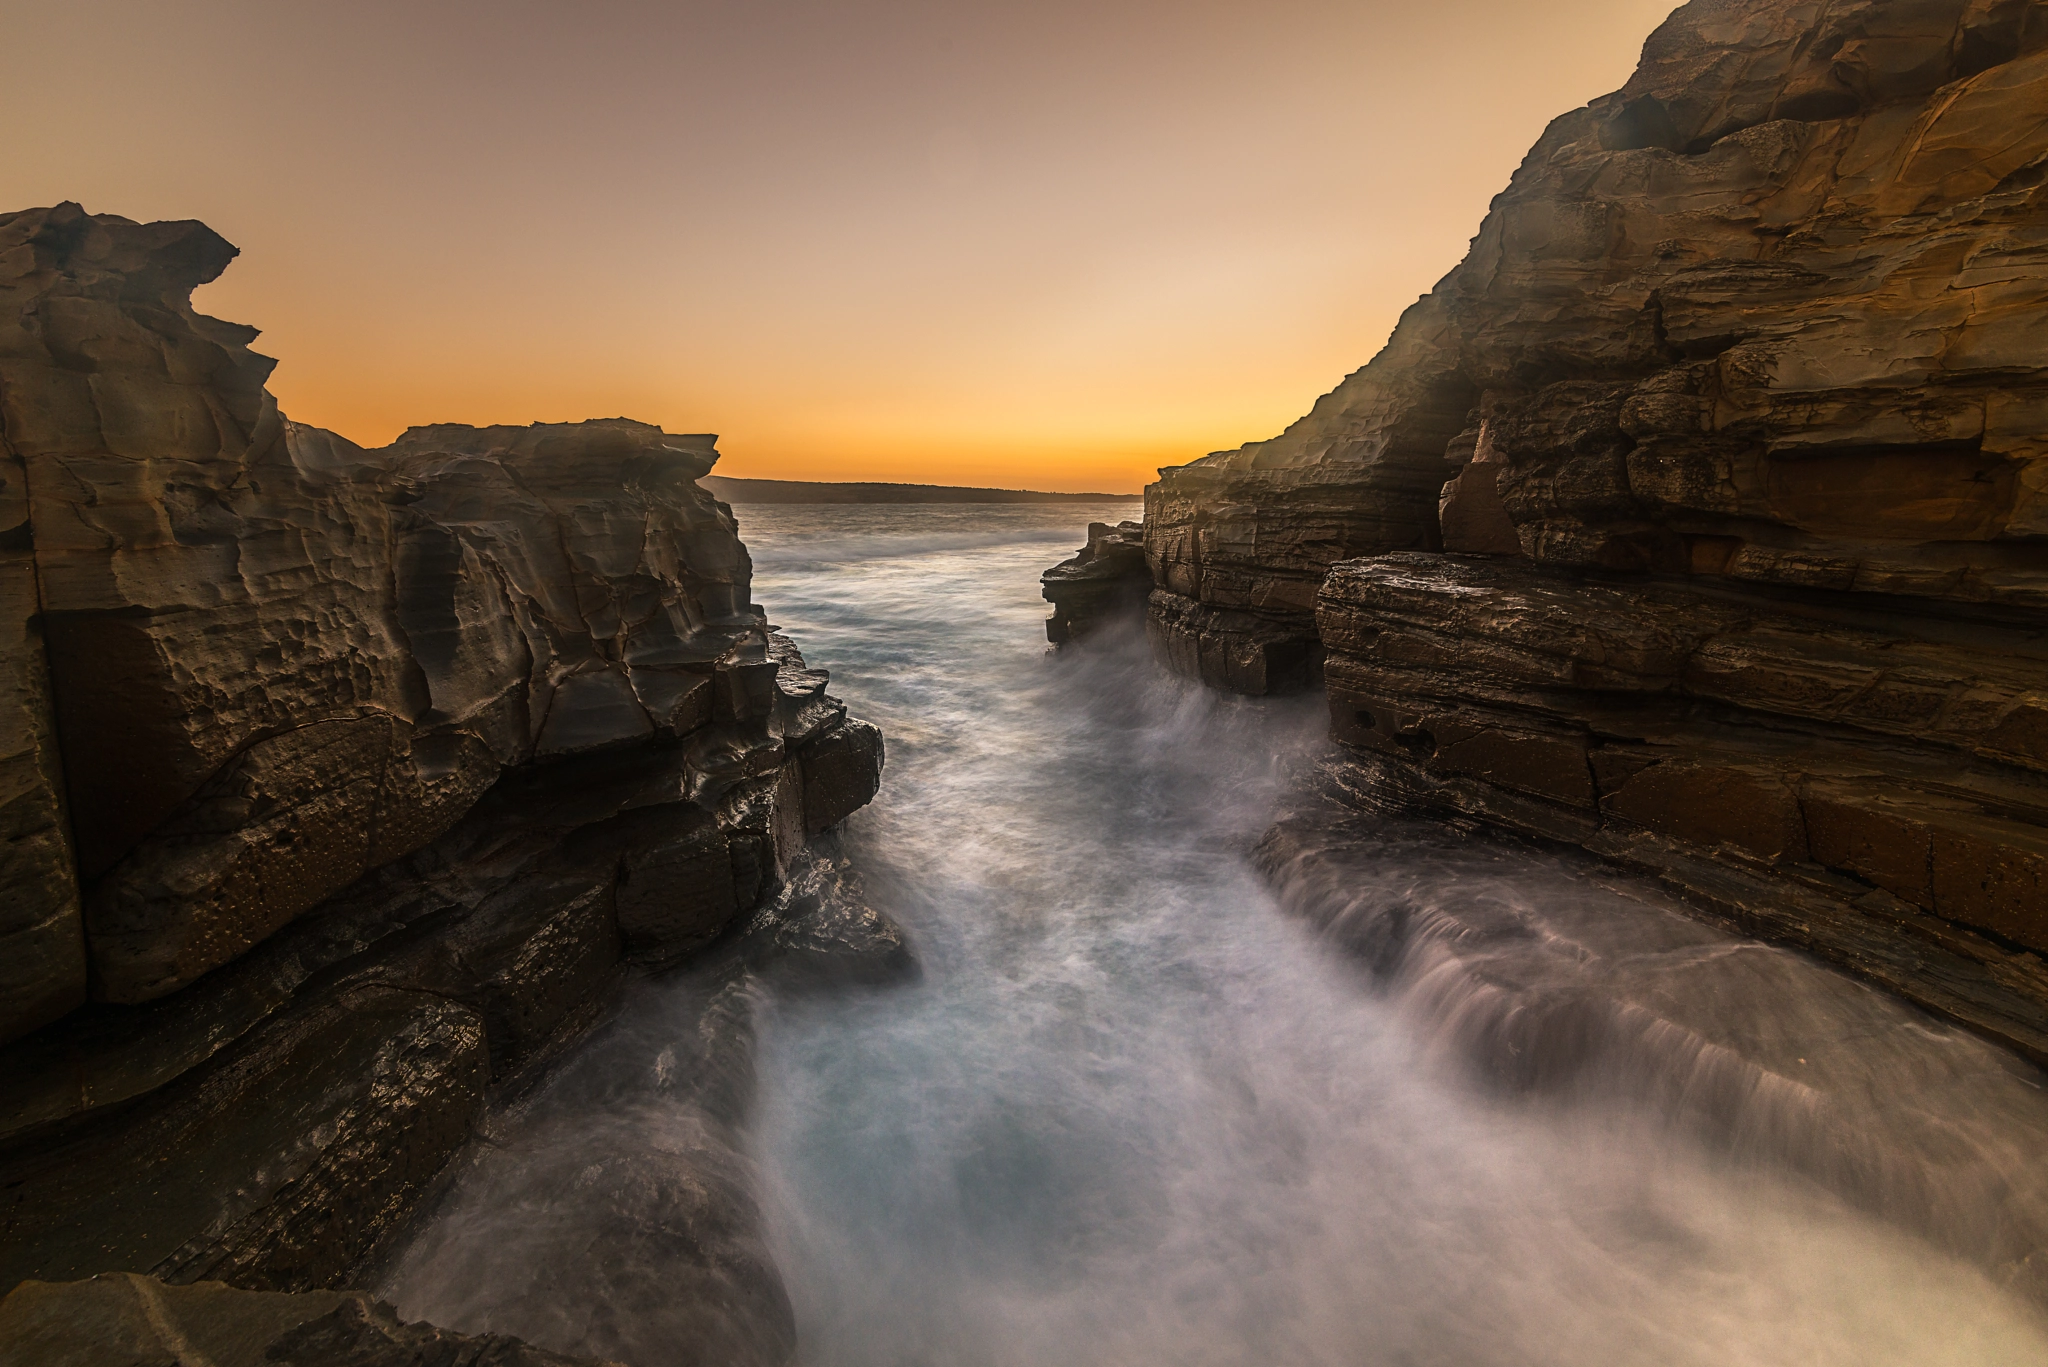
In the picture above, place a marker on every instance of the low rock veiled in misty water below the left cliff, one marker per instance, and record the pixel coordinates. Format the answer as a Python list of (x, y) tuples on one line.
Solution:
[(636, 1149)]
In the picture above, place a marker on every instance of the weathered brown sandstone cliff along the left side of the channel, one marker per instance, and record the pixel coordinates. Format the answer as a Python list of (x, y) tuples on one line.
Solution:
[(341, 782)]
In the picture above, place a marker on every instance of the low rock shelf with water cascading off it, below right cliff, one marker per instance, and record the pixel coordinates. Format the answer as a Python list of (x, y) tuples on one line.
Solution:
[(1549, 979)]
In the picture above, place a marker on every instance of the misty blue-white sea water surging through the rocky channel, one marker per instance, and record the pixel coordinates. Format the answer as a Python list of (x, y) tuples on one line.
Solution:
[(1142, 1108)]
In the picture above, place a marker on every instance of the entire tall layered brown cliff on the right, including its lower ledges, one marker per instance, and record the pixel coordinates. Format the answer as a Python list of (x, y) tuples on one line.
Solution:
[(1744, 401)]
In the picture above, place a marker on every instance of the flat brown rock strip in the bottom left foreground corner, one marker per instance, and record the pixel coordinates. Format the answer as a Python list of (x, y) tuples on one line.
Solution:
[(128, 1321)]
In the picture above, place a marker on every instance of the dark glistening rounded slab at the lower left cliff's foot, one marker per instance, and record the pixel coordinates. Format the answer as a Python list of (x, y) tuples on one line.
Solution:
[(278, 1167)]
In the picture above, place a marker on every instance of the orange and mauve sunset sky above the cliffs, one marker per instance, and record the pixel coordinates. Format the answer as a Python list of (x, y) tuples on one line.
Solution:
[(1043, 245)]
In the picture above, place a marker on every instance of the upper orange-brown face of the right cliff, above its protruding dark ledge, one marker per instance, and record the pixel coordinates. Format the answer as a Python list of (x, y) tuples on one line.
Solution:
[(1768, 315)]
